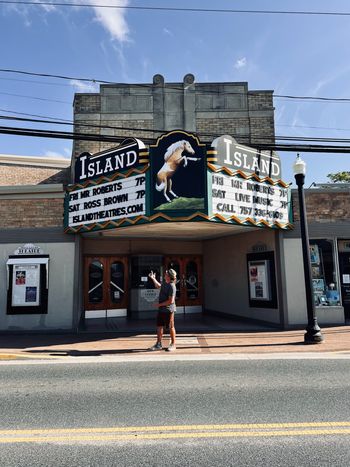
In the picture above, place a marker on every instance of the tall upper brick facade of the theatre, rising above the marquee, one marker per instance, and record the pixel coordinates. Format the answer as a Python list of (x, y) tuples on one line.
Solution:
[(217, 109)]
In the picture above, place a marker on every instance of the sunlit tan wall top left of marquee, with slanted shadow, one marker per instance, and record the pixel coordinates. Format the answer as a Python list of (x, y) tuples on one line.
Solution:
[(23, 175)]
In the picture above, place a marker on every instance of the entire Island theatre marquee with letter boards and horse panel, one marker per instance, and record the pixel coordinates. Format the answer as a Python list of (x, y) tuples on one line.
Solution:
[(181, 179)]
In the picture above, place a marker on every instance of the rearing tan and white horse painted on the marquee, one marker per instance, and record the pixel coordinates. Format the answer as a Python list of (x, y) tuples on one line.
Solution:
[(173, 158)]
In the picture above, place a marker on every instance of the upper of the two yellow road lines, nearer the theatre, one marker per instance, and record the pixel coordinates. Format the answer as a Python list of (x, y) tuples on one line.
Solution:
[(128, 429)]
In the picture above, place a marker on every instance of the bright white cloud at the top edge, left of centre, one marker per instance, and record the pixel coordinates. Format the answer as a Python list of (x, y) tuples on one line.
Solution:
[(113, 19)]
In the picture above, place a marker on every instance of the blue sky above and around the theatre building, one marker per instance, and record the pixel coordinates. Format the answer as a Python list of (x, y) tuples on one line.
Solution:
[(291, 55)]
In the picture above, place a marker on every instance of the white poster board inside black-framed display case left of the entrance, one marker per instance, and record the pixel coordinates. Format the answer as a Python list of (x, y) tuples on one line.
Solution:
[(26, 285)]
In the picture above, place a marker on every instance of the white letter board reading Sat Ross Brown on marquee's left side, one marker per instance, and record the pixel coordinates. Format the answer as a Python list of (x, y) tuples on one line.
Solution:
[(108, 201)]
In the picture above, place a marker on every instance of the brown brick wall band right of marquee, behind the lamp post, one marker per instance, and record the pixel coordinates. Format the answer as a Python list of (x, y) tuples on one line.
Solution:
[(324, 206)]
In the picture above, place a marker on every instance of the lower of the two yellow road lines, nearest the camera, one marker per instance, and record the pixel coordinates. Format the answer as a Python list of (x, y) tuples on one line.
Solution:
[(155, 436)]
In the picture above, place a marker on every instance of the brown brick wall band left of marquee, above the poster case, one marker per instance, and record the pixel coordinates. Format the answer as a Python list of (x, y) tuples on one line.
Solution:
[(30, 213)]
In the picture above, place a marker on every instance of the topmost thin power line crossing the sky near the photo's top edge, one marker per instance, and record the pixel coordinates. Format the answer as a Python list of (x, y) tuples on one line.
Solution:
[(180, 9)]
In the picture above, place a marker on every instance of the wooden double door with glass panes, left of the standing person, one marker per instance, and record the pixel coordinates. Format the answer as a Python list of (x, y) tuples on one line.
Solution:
[(106, 282)]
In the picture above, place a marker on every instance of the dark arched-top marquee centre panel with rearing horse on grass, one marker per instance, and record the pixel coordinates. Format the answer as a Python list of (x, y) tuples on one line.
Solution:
[(178, 171)]
